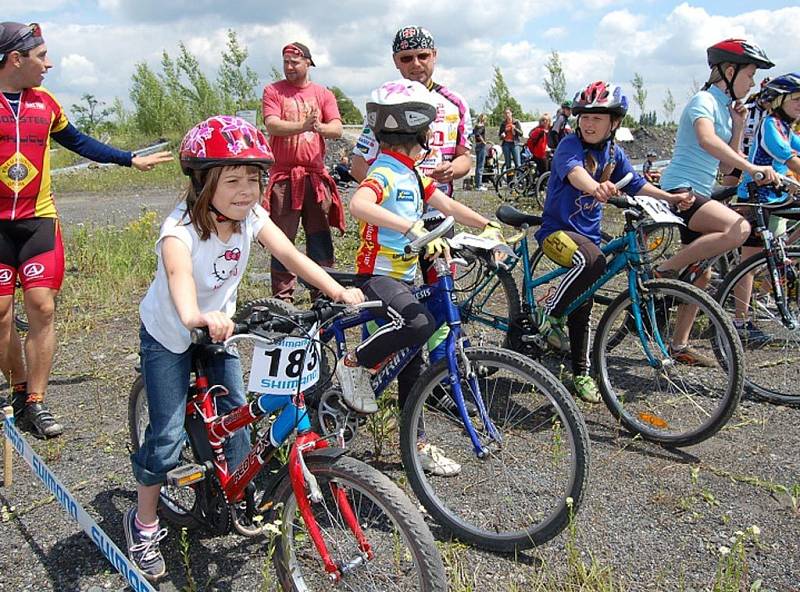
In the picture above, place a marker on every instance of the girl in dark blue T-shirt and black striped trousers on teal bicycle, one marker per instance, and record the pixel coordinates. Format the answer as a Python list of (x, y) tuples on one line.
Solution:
[(584, 169)]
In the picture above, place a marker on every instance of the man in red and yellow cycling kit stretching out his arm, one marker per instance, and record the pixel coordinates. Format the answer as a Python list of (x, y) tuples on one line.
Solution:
[(31, 249)]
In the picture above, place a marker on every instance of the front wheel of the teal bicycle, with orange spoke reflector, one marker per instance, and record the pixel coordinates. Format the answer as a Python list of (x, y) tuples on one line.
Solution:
[(631, 389)]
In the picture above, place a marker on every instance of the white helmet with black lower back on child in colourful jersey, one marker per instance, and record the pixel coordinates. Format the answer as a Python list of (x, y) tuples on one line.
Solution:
[(400, 107)]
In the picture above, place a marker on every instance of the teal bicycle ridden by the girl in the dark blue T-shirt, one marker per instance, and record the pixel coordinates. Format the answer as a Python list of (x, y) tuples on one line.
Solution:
[(650, 392)]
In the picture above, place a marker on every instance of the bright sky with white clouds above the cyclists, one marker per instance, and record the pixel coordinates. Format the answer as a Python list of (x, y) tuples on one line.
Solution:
[(96, 44)]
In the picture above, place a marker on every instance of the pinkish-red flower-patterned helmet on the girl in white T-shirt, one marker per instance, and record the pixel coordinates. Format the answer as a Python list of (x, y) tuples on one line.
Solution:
[(224, 140)]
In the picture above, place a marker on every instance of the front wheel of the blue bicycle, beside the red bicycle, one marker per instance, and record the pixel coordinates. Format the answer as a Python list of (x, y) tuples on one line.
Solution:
[(535, 500)]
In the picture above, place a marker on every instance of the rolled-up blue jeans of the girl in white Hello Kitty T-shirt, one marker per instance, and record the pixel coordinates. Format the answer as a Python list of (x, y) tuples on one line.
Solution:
[(166, 378)]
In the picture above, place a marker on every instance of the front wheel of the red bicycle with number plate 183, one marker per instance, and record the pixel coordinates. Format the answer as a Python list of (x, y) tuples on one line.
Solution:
[(297, 563)]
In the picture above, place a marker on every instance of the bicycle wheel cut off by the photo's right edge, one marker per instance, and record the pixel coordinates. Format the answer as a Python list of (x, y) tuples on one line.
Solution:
[(771, 370)]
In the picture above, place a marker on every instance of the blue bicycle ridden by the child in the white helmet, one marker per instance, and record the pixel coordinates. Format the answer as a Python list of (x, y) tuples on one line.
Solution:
[(524, 455)]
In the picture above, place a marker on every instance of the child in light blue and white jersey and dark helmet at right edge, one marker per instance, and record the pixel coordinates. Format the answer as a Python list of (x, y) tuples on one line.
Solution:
[(775, 145)]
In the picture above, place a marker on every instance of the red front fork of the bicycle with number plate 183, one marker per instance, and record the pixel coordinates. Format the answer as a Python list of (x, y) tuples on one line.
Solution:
[(307, 491)]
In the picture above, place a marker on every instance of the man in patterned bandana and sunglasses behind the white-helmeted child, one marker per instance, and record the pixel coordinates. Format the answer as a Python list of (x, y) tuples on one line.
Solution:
[(448, 158)]
